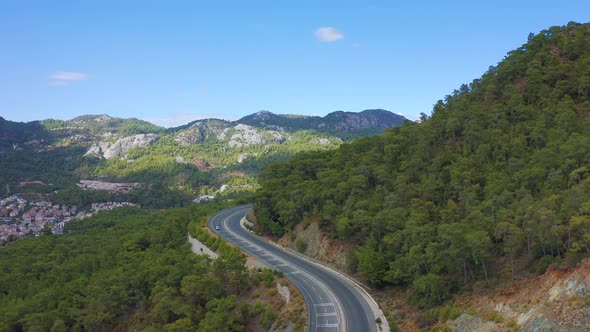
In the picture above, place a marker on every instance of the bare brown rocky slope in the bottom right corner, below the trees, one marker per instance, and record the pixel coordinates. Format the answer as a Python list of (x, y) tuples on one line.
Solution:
[(559, 300)]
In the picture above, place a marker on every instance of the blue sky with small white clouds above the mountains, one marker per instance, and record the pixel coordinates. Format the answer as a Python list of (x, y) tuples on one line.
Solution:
[(171, 62)]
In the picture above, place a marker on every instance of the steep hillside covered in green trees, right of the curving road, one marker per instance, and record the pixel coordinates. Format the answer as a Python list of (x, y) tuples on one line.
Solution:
[(495, 182)]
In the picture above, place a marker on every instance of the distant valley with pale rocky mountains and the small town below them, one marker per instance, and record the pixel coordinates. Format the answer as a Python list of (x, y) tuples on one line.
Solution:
[(97, 160)]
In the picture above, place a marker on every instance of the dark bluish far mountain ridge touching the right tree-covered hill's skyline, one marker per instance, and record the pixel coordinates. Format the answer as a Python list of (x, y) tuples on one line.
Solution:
[(345, 125)]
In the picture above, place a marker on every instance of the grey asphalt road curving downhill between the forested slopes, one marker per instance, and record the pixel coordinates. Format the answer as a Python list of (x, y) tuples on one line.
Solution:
[(334, 303)]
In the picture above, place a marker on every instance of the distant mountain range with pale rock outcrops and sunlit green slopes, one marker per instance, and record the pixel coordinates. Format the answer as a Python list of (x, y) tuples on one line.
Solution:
[(199, 157)]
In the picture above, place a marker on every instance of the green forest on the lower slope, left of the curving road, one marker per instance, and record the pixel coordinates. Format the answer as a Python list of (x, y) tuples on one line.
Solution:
[(125, 270)]
